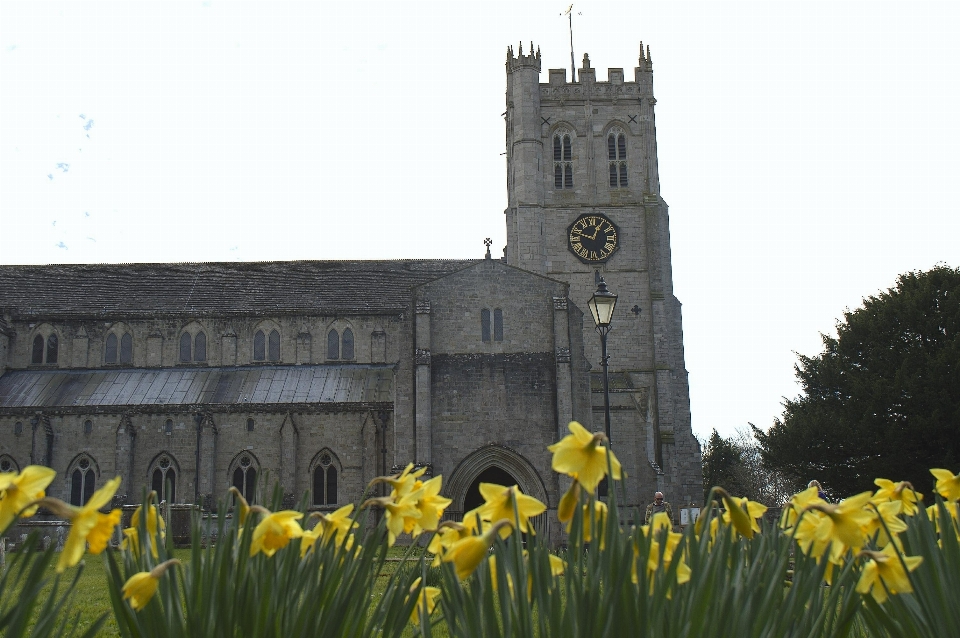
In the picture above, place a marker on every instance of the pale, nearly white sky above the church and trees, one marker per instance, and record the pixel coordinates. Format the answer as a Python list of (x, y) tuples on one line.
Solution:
[(807, 149)]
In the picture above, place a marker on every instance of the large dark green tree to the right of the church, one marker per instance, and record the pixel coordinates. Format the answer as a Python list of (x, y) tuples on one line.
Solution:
[(883, 398)]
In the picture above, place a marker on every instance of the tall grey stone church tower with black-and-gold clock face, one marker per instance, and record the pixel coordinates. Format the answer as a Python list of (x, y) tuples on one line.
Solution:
[(584, 202)]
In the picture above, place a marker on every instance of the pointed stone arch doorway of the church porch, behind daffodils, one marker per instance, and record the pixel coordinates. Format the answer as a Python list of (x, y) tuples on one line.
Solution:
[(493, 464)]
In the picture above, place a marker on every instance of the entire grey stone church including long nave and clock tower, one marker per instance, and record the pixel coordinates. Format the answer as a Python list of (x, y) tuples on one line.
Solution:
[(188, 378)]
